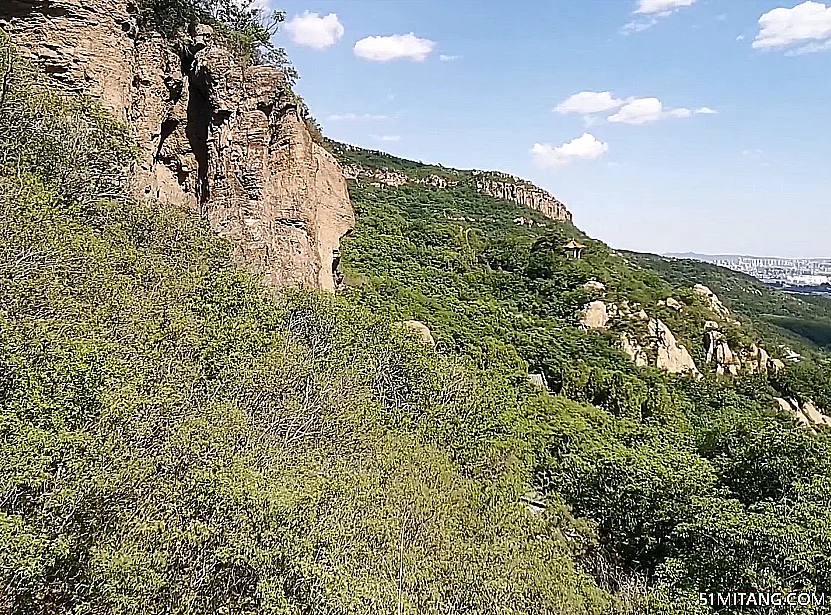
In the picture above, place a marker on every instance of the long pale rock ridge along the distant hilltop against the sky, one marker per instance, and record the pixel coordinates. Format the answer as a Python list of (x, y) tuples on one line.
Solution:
[(497, 185)]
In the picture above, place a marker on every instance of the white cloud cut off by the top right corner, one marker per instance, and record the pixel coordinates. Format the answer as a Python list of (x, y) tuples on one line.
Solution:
[(806, 22)]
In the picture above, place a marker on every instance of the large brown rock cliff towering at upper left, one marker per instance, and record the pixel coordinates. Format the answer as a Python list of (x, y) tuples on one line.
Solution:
[(221, 137)]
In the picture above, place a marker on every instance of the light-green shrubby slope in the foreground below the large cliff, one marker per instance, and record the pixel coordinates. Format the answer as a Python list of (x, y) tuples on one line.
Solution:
[(177, 439)]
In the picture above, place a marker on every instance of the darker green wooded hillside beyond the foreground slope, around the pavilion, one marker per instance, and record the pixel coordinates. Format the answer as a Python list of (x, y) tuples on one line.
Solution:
[(691, 485)]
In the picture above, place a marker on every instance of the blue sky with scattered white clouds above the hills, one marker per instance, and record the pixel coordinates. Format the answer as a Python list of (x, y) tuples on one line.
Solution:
[(486, 84)]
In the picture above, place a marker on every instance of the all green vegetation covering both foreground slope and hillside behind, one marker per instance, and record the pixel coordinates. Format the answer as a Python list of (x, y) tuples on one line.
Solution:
[(178, 439)]
